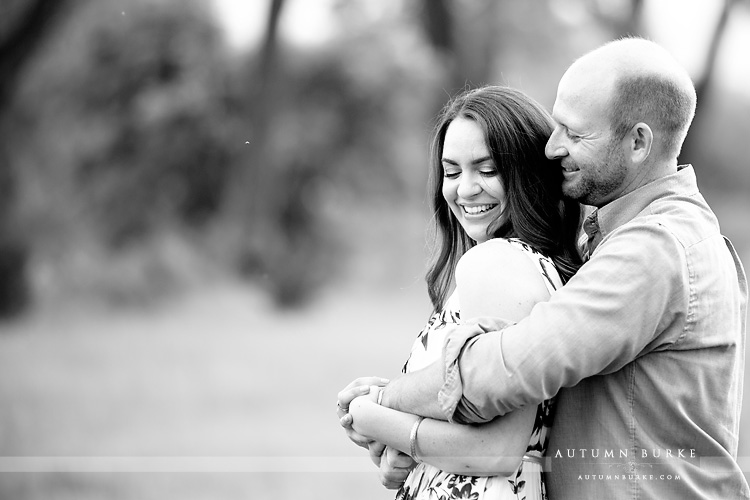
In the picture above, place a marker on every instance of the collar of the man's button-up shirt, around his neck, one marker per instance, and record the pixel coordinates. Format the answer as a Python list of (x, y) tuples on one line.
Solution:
[(617, 212)]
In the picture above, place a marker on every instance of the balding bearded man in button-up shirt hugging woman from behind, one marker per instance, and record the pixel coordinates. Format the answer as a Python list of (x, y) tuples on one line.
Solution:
[(644, 347)]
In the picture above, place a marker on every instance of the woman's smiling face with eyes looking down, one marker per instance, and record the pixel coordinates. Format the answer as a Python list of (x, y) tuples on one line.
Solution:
[(471, 184)]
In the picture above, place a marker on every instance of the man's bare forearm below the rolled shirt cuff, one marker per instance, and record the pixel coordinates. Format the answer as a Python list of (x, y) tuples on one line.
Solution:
[(417, 392)]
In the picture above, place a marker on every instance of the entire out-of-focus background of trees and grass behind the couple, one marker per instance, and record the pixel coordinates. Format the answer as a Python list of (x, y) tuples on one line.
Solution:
[(213, 216)]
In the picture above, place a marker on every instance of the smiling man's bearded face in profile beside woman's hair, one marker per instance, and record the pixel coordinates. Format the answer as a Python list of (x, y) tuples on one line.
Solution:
[(594, 168)]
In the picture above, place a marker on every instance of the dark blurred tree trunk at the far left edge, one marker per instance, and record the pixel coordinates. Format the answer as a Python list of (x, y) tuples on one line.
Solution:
[(19, 42)]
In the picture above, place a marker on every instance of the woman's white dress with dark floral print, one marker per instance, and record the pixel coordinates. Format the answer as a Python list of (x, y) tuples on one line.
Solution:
[(426, 482)]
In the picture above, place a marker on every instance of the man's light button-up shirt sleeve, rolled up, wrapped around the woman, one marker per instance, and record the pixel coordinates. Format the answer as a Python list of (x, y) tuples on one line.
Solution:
[(615, 309)]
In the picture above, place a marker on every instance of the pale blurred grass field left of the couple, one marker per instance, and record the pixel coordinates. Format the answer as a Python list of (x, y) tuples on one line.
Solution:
[(217, 374)]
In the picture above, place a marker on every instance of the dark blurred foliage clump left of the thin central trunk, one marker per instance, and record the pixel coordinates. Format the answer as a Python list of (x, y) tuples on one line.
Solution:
[(150, 84)]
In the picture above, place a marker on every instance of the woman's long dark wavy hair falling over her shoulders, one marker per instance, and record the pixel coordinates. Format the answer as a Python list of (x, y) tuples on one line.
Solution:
[(516, 129)]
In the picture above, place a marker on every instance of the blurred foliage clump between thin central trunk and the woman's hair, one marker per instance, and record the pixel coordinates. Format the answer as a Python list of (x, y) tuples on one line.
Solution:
[(333, 138)]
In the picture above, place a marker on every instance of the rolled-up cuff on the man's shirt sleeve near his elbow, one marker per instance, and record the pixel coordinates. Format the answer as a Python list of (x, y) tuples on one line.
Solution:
[(450, 396)]
